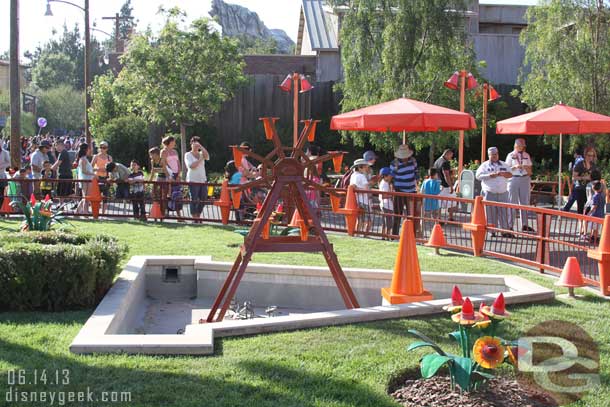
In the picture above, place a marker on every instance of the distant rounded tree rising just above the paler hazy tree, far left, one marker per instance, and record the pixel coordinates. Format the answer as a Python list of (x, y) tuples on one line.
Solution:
[(53, 69)]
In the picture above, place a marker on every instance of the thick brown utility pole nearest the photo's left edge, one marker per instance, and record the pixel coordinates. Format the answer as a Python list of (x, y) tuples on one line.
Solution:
[(14, 87)]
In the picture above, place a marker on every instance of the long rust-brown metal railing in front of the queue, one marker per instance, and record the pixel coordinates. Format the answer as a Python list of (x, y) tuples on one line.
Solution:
[(556, 235)]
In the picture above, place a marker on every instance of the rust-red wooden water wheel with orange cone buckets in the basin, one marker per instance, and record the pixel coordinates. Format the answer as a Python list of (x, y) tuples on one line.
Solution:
[(283, 174)]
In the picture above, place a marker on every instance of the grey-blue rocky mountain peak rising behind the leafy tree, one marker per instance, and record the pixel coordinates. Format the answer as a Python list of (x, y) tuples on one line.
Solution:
[(239, 21)]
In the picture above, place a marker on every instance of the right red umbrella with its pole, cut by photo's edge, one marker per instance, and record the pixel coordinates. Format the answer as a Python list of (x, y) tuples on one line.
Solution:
[(559, 119)]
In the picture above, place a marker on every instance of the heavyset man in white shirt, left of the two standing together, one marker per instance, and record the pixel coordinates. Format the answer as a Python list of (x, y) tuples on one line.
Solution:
[(494, 175)]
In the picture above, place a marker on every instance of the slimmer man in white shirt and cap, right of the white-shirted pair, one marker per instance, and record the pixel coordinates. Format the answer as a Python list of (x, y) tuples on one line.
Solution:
[(519, 185)]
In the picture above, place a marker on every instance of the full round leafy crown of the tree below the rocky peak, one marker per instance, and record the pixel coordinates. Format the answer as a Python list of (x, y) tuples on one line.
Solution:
[(180, 76)]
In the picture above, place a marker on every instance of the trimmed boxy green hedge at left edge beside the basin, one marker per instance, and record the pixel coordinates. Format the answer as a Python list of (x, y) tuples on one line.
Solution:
[(55, 271)]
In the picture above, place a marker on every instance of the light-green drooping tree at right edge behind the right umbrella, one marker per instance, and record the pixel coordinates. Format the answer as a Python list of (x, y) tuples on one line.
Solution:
[(567, 58)]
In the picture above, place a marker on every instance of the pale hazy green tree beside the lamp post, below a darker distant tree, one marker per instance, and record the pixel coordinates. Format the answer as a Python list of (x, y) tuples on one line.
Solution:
[(62, 106)]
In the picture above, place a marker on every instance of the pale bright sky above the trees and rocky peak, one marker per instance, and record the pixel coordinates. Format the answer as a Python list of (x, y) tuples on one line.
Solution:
[(36, 28)]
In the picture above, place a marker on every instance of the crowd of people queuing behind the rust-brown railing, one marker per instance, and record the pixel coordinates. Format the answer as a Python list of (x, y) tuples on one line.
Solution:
[(56, 161)]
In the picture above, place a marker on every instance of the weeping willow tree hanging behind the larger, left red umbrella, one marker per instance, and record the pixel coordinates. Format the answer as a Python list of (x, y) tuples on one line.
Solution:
[(391, 48)]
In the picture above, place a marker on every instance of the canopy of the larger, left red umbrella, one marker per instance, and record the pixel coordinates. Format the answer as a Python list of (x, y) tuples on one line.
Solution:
[(403, 115)]
